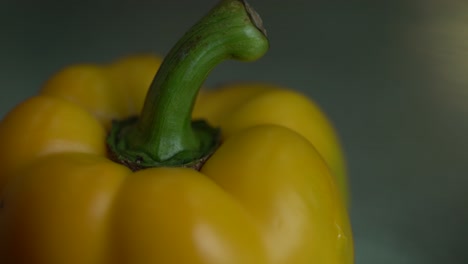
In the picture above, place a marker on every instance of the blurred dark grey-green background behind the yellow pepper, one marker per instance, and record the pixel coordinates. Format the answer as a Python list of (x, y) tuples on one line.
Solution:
[(392, 76)]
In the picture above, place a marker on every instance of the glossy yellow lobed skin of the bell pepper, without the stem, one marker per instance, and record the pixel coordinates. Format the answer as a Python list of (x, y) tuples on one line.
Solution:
[(265, 196)]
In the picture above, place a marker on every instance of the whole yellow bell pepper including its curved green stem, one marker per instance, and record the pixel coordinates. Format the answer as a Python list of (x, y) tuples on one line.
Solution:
[(261, 181)]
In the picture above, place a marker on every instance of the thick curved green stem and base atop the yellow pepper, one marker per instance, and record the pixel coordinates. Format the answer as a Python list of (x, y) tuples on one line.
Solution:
[(165, 135)]
